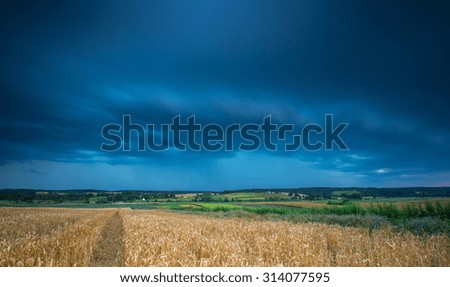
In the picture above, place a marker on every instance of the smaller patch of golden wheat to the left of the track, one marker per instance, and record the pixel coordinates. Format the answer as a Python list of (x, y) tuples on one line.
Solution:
[(49, 237)]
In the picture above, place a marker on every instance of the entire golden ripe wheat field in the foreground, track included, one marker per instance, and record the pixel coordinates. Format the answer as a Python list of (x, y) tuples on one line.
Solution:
[(125, 237)]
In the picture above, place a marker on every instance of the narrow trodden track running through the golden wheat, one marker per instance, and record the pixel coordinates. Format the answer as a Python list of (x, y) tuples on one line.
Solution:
[(109, 249)]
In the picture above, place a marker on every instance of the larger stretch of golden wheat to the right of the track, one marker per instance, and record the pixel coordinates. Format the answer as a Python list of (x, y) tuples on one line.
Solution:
[(156, 238)]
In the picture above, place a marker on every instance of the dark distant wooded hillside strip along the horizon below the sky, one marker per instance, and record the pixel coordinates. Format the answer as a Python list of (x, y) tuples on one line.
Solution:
[(312, 193)]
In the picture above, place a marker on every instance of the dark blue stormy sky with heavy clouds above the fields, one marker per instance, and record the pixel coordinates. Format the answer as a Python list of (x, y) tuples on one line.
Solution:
[(68, 68)]
